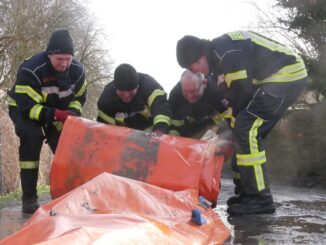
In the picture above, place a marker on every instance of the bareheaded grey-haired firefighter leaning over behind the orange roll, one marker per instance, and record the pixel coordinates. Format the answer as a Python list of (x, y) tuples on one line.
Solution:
[(196, 104)]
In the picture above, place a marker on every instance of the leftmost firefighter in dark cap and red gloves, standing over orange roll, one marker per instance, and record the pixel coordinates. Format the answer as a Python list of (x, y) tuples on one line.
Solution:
[(49, 87)]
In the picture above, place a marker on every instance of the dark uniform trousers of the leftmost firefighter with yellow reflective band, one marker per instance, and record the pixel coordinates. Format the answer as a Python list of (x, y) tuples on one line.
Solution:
[(31, 135)]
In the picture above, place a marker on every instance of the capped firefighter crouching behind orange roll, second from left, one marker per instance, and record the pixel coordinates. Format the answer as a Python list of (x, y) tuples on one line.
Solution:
[(134, 100)]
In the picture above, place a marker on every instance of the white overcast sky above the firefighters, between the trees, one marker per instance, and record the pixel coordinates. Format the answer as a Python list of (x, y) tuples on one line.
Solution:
[(144, 33)]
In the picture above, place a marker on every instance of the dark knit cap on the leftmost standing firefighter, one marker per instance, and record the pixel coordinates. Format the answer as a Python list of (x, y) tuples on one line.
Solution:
[(60, 43)]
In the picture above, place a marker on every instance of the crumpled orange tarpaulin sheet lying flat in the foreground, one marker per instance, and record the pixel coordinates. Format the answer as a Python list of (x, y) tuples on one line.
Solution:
[(115, 210)]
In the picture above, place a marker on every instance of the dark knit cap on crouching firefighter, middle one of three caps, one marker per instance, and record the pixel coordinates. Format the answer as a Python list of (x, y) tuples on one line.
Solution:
[(125, 77)]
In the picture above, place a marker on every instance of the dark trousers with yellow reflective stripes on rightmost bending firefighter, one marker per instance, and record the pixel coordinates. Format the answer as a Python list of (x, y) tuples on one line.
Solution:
[(252, 124)]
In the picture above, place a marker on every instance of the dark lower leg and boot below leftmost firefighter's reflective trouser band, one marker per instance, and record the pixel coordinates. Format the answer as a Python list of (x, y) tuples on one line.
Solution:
[(29, 198)]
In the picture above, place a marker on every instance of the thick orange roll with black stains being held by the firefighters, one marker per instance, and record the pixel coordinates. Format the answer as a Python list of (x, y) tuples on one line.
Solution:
[(87, 149)]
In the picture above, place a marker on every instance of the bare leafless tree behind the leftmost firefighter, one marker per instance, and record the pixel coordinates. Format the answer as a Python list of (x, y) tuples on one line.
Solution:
[(25, 27)]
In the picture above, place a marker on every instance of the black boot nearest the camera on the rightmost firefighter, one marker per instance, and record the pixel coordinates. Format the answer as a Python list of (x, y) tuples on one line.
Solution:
[(261, 203)]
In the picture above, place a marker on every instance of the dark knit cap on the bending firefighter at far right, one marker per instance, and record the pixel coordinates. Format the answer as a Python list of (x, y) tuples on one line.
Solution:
[(189, 50)]
